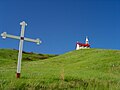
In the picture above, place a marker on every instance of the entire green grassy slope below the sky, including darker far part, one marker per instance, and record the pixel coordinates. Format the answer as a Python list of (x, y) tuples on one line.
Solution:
[(90, 69)]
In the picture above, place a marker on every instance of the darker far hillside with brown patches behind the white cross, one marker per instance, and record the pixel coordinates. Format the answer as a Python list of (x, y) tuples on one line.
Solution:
[(10, 56)]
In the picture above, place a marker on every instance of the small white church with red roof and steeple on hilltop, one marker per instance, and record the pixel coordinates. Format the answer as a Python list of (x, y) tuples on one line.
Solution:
[(82, 45)]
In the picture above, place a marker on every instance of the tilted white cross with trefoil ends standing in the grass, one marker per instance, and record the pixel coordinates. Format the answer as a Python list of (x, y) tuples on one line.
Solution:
[(21, 38)]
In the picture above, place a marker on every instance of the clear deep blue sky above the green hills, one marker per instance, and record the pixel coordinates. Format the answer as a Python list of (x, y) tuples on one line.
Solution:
[(61, 23)]
